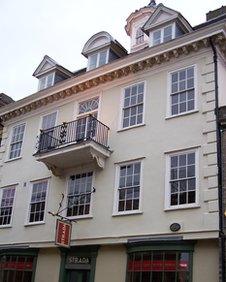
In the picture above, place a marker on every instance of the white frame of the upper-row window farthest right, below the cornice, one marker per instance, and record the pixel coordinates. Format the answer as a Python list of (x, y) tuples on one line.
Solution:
[(168, 110)]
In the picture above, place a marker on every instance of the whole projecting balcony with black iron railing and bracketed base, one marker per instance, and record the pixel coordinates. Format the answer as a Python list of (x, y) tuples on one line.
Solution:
[(75, 143)]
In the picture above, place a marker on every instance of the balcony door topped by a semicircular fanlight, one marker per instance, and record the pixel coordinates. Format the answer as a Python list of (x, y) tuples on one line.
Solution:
[(86, 126)]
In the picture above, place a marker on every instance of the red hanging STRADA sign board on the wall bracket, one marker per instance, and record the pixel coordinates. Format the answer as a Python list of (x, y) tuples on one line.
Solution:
[(63, 233)]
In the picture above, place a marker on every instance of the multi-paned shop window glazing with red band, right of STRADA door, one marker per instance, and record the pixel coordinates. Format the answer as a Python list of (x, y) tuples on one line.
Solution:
[(159, 266)]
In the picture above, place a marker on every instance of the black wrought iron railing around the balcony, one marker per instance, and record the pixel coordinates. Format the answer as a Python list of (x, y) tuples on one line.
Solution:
[(77, 131)]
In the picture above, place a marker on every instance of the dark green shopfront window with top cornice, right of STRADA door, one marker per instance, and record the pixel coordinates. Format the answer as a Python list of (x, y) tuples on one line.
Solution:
[(159, 263)]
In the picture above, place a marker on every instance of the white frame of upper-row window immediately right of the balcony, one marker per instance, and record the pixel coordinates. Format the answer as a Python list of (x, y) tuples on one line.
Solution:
[(120, 126)]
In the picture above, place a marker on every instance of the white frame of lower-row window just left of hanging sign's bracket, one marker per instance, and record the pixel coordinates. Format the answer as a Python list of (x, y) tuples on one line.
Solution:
[(27, 222)]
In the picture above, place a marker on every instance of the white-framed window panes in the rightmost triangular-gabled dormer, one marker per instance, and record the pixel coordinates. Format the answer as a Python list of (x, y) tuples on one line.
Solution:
[(162, 35)]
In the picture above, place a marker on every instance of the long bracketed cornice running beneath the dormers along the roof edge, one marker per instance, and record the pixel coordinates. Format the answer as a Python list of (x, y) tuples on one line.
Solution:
[(133, 63)]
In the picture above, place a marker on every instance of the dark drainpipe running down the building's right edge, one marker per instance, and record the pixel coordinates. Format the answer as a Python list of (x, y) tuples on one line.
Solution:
[(219, 164)]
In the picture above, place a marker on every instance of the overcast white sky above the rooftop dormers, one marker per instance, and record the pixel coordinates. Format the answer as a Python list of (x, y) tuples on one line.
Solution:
[(29, 29)]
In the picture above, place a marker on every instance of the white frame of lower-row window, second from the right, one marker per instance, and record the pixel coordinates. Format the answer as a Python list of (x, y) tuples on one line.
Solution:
[(116, 188)]
